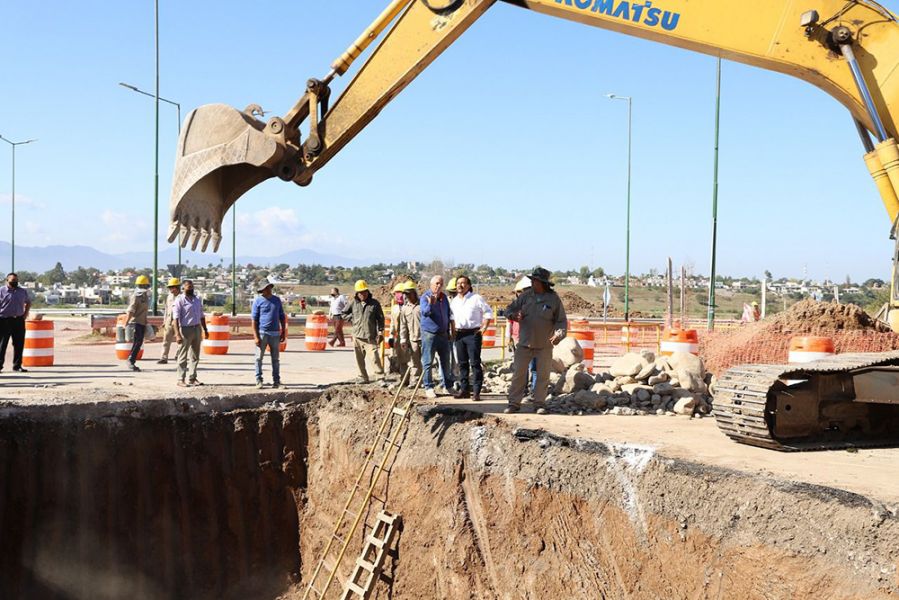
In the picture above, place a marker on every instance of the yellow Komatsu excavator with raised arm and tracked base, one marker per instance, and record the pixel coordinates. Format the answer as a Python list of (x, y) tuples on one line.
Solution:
[(848, 48)]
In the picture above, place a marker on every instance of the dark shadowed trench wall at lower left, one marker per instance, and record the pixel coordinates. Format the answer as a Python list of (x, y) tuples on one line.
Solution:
[(131, 505)]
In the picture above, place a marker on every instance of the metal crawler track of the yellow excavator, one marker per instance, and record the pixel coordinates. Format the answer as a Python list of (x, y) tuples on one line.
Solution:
[(744, 400)]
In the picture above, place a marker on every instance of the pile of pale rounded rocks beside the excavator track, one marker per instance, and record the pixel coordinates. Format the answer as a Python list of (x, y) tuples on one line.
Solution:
[(635, 384)]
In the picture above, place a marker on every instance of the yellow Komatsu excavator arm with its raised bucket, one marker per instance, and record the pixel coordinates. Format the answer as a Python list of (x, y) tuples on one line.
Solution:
[(848, 48)]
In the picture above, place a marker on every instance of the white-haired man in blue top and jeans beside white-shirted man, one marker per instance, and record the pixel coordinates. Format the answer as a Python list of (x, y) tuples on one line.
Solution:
[(436, 330)]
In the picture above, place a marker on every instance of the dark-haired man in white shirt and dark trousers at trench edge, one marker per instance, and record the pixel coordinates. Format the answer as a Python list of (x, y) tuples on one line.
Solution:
[(472, 316)]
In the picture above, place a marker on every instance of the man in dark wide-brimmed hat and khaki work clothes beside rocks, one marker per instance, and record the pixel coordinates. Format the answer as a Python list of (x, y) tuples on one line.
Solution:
[(542, 324)]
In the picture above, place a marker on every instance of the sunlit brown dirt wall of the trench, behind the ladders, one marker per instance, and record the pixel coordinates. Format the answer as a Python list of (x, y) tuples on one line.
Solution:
[(487, 514)]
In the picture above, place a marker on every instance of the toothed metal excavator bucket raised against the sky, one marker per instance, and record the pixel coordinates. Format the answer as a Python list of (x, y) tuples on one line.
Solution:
[(222, 153)]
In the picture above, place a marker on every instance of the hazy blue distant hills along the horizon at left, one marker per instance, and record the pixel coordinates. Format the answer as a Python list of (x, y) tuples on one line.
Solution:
[(43, 258)]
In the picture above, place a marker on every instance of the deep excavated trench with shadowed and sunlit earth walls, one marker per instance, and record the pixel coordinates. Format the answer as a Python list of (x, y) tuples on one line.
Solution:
[(234, 498)]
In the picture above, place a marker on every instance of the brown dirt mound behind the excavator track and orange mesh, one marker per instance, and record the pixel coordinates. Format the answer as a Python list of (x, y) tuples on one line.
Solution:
[(768, 341)]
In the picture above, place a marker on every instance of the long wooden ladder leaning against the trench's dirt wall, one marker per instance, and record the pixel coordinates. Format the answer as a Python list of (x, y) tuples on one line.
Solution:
[(389, 439)]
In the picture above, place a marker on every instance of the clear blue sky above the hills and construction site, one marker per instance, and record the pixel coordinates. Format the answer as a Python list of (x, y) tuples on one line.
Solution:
[(504, 151)]
